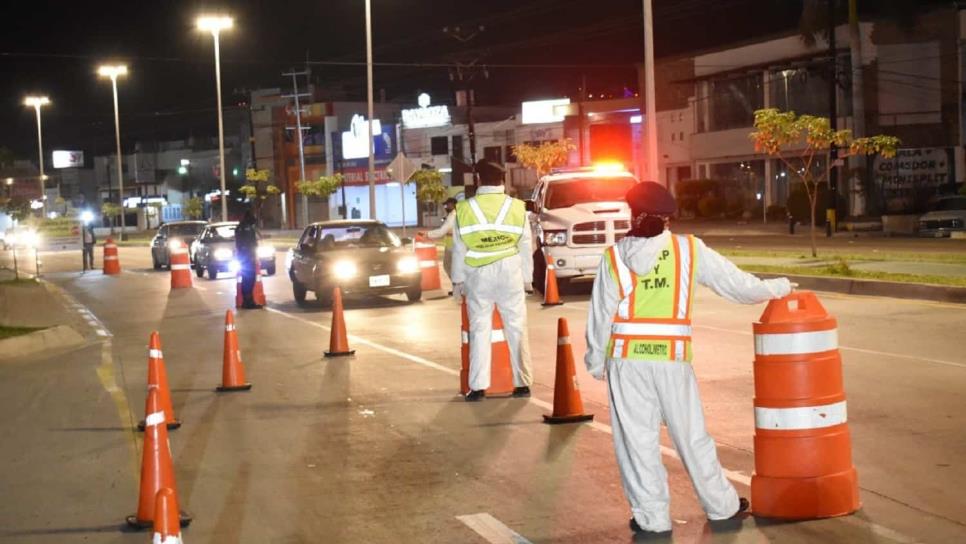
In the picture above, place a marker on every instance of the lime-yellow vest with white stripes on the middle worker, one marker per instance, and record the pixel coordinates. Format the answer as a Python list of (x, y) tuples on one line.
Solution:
[(490, 226)]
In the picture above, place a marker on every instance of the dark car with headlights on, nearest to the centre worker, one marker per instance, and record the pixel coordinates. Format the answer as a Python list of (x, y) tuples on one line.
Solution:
[(359, 257)]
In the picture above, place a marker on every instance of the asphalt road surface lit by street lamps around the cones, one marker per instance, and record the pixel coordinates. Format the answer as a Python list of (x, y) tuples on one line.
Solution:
[(380, 447)]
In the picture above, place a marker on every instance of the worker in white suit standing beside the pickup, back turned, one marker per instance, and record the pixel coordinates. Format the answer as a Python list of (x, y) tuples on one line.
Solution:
[(492, 266)]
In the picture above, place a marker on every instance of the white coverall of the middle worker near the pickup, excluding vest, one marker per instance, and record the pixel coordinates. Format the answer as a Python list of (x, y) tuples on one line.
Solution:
[(502, 284)]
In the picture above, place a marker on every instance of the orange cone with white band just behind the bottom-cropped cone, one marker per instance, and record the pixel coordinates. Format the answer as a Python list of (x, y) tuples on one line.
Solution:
[(157, 469)]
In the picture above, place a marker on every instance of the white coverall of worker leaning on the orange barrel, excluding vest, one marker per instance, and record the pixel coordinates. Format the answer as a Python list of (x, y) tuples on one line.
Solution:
[(643, 393)]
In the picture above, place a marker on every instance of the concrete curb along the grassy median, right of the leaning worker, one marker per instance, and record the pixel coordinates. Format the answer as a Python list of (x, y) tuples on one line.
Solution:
[(877, 288)]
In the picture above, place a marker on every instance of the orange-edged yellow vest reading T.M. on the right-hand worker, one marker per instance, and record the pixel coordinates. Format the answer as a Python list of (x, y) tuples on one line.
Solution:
[(653, 321)]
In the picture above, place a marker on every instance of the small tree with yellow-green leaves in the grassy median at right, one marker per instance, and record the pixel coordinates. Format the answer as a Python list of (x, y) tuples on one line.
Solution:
[(804, 138)]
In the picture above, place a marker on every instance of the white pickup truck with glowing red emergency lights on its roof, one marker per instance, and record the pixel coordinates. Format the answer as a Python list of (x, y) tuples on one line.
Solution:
[(575, 215)]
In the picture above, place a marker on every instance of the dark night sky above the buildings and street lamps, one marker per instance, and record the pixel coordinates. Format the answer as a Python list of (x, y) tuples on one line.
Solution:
[(54, 47)]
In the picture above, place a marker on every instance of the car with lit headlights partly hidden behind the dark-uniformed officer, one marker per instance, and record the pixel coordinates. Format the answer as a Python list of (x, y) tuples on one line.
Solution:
[(214, 251)]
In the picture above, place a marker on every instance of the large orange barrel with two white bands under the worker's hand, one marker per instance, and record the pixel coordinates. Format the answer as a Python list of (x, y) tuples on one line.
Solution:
[(803, 448)]
